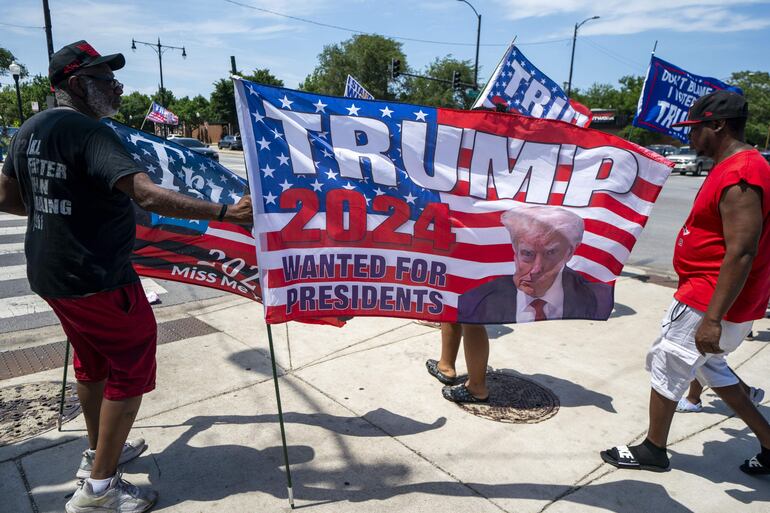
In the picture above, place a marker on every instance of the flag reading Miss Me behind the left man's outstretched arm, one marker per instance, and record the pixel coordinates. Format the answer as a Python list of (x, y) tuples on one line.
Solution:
[(212, 254)]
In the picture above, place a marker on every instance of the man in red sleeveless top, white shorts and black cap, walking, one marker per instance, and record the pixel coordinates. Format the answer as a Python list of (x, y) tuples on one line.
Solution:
[(722, 258)]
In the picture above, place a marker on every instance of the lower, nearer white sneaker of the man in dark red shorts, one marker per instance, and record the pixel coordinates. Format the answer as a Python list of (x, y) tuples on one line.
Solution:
[(120, 497)]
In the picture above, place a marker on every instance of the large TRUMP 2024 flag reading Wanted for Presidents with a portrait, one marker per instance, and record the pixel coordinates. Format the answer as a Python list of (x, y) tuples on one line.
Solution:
[(388, 209)]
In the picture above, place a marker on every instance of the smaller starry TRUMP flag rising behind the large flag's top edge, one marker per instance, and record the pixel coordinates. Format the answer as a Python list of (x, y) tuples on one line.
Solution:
[(522, 88)]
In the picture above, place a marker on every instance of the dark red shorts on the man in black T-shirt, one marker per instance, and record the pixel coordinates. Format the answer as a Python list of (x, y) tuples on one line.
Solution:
[(113, 334)]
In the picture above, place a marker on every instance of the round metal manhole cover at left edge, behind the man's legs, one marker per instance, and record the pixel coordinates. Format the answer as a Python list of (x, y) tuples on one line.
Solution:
[(30, 409)]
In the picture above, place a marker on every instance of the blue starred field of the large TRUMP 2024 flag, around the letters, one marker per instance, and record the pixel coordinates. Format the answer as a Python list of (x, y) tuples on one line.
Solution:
[(277, 174)]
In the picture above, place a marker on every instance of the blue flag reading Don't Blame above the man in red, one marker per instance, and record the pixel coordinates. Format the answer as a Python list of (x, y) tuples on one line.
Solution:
[(668, 94)]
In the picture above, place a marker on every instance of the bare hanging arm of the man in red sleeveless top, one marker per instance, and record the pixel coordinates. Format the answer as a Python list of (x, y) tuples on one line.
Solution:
[(741, 211)]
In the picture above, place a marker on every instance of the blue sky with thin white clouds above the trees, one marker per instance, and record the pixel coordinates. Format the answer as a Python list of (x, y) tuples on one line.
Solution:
[(705, 37)]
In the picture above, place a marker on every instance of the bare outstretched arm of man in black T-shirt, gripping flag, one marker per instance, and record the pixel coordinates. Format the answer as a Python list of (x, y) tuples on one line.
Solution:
[(162, 201)]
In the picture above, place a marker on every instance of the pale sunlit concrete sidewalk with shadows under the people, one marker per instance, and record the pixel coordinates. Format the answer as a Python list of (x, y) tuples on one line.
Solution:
[(368, 430)]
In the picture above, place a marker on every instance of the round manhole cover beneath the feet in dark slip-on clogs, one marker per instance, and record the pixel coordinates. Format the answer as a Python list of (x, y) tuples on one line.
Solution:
[(515, 400)]
